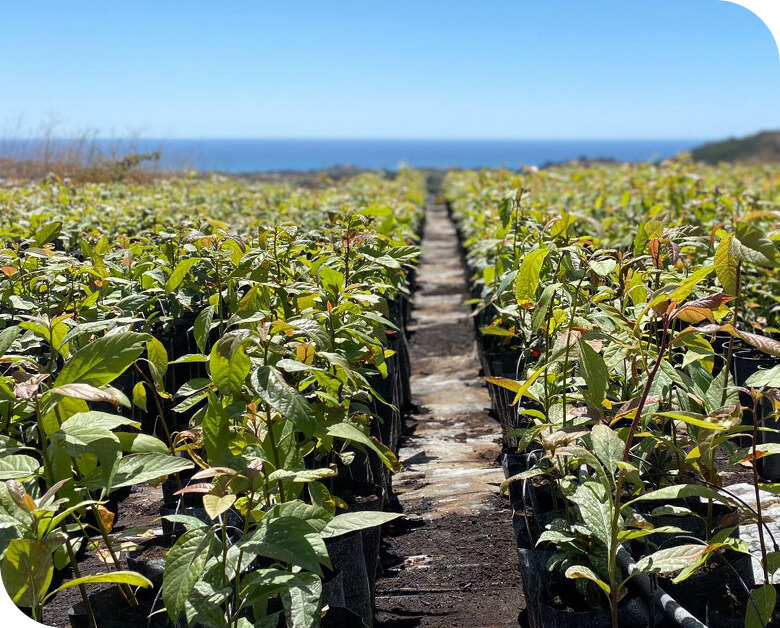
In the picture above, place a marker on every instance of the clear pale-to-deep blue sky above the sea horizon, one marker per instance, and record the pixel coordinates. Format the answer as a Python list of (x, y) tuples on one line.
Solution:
[(514, 69)]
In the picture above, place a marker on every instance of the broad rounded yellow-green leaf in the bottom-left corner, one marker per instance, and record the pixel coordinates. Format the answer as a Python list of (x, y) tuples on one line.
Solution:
[(27, 569)]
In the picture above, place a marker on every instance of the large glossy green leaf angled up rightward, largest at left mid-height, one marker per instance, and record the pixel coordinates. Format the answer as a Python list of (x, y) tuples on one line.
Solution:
[(102, 360)]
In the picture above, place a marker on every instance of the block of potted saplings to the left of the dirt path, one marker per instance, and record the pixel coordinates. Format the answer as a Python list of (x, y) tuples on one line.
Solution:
[(241, 344)]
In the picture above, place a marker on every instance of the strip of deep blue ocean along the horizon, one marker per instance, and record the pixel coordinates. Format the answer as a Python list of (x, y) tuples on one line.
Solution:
[(264, 155)]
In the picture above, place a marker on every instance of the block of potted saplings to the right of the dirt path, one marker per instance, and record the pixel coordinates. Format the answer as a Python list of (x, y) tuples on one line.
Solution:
[(626, 327)]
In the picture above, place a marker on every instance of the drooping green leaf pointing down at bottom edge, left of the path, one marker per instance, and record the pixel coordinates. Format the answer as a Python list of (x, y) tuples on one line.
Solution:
[(184, 565)]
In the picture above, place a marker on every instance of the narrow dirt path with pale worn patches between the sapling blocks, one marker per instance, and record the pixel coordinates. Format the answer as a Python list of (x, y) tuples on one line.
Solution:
[(451, 561)]
